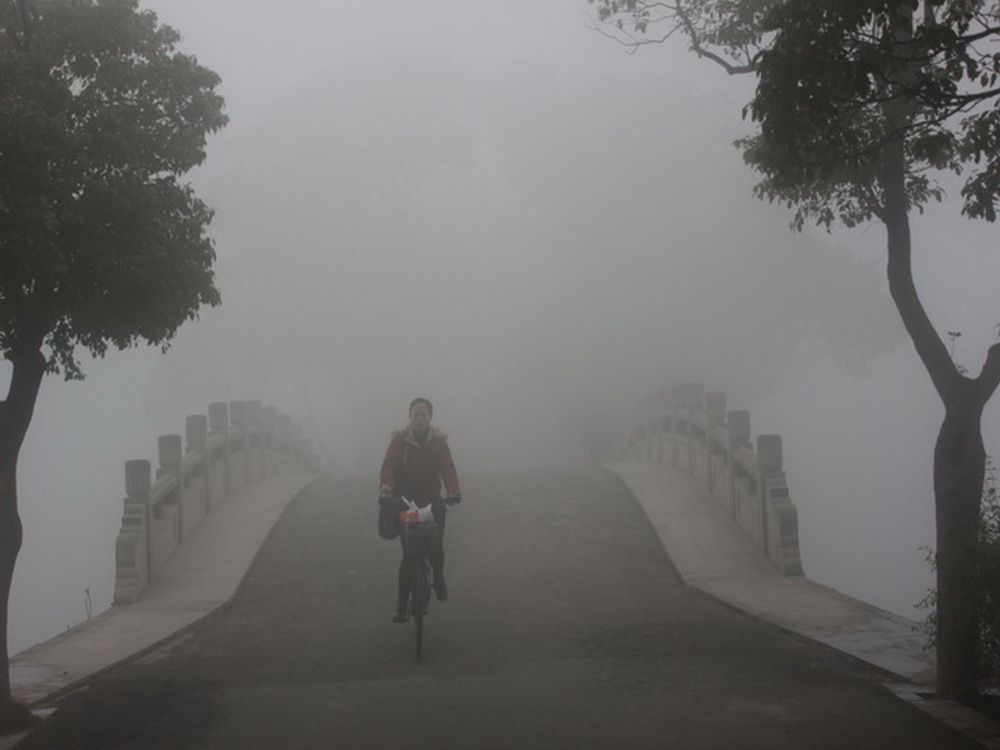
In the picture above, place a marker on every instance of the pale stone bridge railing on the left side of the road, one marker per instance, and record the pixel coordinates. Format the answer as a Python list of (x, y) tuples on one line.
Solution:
[(235, 445)]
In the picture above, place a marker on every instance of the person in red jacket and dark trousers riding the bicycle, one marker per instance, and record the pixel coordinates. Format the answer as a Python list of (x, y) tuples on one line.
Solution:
[(417, 462)]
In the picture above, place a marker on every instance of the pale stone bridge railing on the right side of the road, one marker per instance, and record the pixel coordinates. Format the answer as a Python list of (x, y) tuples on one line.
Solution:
[(692, 431)]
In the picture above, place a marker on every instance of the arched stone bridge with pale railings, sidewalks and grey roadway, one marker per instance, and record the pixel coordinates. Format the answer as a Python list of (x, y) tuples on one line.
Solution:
[(647, 602)]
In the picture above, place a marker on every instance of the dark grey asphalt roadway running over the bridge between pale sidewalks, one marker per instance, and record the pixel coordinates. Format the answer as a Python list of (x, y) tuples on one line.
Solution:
[(567, 628)]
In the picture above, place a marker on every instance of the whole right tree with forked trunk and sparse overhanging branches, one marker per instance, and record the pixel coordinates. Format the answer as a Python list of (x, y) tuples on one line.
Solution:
[(860, 106)]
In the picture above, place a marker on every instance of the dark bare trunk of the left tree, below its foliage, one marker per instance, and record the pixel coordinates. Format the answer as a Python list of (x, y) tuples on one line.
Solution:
[(15, 416)]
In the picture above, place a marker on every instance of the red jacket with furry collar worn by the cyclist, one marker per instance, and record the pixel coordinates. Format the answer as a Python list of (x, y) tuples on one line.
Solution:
[(416, 470)]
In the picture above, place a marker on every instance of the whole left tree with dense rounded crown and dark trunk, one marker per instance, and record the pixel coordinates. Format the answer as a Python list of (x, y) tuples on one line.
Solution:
[(100, 243)]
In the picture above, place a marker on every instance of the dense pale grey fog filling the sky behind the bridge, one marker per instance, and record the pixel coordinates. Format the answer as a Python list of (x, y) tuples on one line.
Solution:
[(496, 207)]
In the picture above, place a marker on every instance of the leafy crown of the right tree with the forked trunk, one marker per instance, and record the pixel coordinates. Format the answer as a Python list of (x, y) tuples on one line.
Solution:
[(829, 73)]
